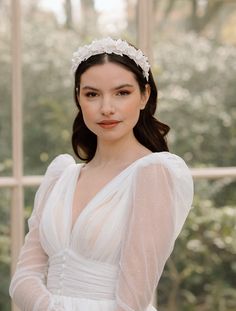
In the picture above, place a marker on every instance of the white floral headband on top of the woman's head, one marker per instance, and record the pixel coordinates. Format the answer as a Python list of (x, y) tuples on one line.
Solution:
[(109, 46)]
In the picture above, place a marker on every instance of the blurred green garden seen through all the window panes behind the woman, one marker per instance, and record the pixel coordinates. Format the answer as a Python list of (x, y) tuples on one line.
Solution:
[(193, 53)]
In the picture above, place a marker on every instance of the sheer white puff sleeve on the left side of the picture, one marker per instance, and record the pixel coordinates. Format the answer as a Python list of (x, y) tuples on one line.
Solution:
[(27, 287)]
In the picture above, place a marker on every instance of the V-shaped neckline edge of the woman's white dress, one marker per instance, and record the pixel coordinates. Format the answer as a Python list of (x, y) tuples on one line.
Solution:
[(79, 166)]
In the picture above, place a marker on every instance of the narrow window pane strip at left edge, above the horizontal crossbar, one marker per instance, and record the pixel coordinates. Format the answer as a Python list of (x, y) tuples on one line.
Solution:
[(5, 90)]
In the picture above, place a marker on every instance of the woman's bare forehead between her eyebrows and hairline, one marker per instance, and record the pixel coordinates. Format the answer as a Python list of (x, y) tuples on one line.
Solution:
[(108, 74)]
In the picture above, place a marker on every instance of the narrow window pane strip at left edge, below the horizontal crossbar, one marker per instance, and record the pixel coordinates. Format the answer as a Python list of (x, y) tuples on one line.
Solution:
[(5, 204)]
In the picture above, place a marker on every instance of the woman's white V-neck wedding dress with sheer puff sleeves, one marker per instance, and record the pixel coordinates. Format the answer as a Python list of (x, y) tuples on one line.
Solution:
[(113, 257)]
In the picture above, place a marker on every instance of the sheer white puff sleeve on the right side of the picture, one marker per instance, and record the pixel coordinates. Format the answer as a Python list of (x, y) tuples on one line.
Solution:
[(161, 199)]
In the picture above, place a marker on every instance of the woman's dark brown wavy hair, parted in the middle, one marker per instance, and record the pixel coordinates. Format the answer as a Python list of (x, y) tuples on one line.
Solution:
[(149, 131)]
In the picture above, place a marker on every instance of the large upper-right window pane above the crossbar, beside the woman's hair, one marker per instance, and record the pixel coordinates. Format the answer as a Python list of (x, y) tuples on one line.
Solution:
[(194, 47)]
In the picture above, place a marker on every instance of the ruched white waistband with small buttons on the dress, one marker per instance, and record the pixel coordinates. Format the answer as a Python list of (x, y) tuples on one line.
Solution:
[(76, 276)]
